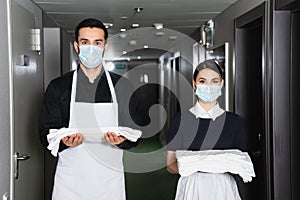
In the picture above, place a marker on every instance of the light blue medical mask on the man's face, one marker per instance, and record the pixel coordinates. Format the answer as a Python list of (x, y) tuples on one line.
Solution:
[(90, 55)]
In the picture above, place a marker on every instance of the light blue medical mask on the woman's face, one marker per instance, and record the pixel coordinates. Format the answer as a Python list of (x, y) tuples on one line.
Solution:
[(208, 93)]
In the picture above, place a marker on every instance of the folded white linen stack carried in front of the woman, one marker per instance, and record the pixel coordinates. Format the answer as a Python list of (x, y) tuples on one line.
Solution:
[(216, 161)]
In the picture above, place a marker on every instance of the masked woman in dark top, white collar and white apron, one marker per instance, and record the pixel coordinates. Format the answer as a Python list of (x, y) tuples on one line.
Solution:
[(206, 126)]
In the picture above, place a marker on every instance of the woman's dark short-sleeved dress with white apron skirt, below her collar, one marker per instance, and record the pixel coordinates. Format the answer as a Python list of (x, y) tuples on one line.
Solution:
[(190, 133)]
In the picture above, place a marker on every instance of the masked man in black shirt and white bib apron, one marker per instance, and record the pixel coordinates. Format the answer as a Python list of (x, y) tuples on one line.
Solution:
[(76, 106)]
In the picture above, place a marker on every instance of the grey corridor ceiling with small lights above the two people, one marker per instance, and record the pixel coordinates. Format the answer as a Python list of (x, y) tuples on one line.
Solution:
[(180, 18)]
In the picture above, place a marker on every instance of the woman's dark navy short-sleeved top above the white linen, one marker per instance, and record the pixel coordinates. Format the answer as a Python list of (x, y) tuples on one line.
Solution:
[(188, 132)]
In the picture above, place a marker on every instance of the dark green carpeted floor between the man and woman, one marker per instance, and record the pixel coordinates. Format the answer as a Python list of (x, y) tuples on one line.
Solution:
[(146, 175)]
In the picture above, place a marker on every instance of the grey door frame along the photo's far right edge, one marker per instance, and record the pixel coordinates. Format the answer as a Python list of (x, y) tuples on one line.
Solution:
[(285, 130)]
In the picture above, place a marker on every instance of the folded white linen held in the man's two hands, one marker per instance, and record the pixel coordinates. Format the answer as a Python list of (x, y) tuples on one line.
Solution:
[(55, 135)]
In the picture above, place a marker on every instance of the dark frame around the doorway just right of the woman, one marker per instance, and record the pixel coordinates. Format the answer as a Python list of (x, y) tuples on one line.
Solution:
[(262, 11)]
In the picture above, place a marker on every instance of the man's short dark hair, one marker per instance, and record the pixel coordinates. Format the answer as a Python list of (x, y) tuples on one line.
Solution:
[(91, 23)]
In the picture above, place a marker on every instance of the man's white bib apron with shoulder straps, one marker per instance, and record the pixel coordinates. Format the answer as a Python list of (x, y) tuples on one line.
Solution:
[(93, 170)]
